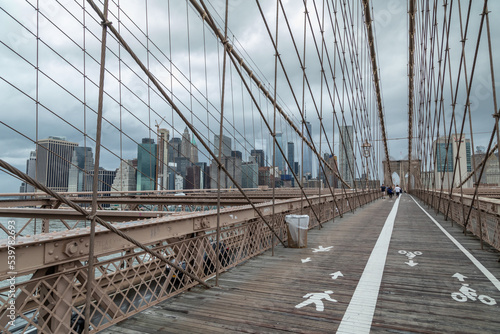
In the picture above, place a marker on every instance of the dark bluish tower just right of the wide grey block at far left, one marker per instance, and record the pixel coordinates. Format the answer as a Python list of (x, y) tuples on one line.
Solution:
[(82, 163)]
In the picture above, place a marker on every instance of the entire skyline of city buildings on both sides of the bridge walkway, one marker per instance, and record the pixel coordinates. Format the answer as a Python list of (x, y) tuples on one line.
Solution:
[(189, 171)]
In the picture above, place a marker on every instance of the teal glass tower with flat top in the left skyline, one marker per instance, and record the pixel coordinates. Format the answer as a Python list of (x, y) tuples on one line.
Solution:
[(146, 165)]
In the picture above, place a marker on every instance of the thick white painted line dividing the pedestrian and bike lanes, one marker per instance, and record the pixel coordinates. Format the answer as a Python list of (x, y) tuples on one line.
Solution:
[(359, 314)]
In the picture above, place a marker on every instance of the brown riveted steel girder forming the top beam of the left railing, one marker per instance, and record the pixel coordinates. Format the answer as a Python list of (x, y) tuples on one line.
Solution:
[(54, 248)]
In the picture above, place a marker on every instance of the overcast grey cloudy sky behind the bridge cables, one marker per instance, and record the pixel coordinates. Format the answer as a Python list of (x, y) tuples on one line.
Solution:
[(67, 101)]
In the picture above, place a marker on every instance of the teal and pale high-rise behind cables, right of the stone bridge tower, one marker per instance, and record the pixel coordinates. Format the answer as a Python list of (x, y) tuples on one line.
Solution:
[(445, 161)]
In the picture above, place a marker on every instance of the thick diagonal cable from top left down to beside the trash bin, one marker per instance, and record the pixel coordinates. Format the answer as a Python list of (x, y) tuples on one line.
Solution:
[(181, 115)]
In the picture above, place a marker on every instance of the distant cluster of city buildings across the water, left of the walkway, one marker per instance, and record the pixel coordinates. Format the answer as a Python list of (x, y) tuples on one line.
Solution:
[(171, 164)]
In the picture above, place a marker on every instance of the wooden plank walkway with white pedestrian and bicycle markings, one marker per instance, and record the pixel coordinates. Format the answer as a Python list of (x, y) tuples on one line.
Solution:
[(423, 268)]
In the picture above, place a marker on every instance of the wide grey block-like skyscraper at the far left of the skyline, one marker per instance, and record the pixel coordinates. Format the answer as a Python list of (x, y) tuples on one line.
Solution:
[(53, 160)]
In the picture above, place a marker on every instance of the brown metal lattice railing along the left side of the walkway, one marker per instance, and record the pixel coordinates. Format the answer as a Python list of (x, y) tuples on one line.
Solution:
[(51, 285)]
